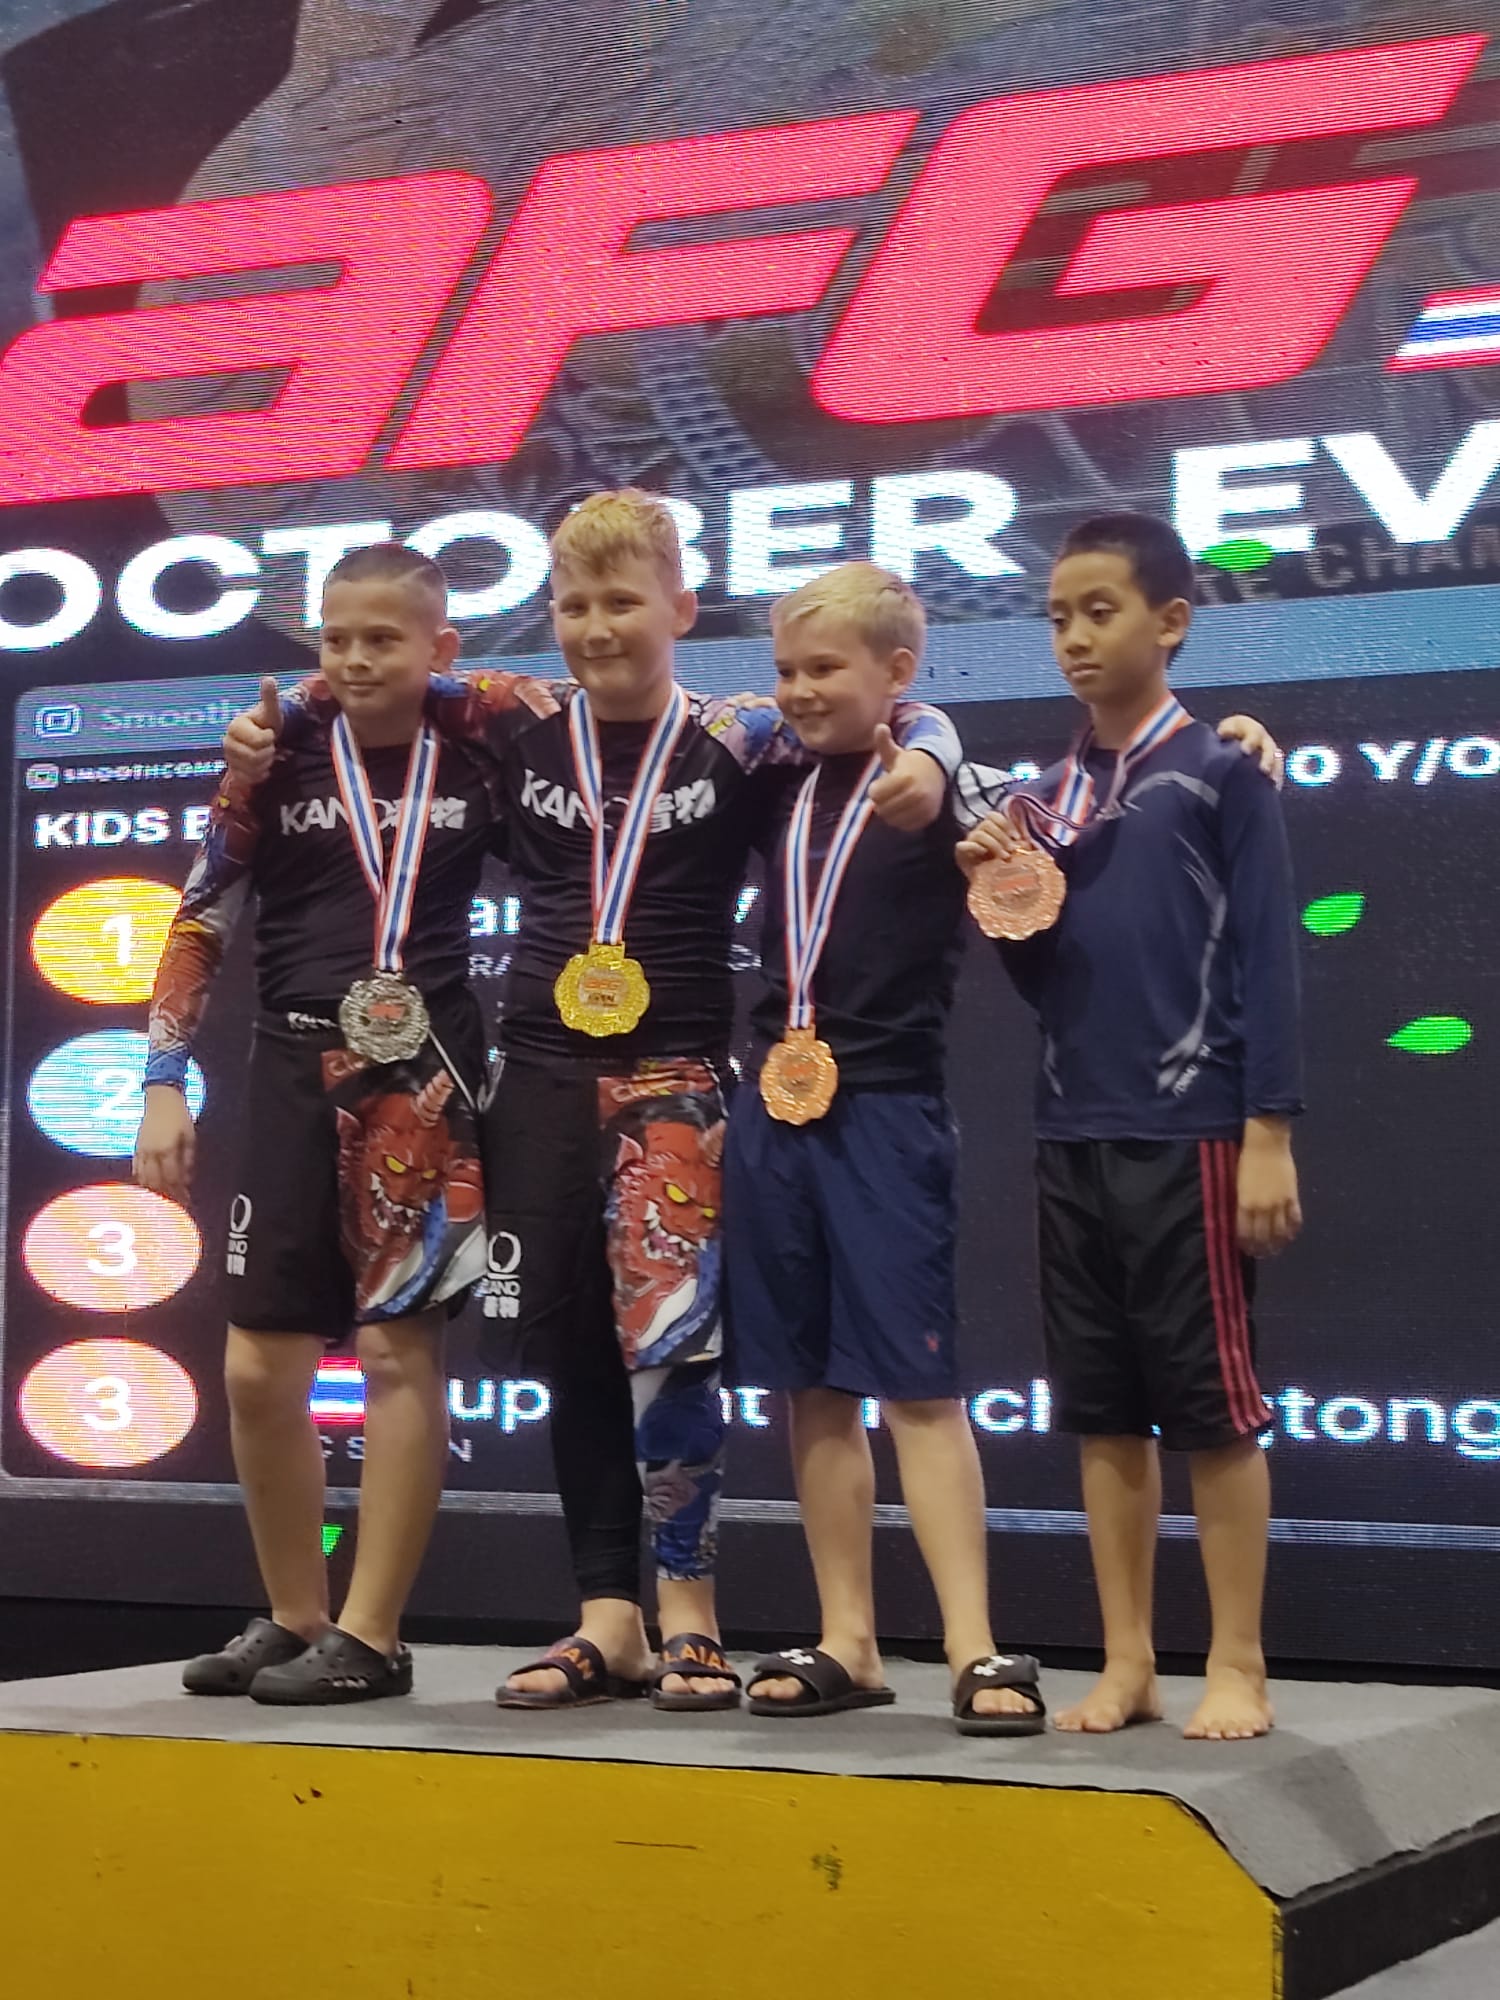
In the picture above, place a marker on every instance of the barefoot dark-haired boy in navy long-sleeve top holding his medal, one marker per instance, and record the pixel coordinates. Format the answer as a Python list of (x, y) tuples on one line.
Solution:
[(1167, 995)]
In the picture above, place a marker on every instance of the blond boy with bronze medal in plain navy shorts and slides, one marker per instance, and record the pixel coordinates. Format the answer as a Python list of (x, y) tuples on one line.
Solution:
[(839, 1177)]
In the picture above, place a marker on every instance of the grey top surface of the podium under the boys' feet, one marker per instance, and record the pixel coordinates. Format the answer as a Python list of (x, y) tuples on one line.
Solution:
[(1351, 1777)]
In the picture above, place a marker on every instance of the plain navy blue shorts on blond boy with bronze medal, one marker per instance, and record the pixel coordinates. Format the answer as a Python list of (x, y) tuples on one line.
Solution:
[(839, 1247)]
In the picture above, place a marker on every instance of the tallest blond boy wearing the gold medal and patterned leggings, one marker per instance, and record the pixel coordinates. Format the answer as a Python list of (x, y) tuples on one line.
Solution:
[(603, 1141)]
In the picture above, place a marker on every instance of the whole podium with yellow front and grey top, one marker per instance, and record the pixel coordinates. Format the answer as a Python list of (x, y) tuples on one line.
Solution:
[(157, 1847)]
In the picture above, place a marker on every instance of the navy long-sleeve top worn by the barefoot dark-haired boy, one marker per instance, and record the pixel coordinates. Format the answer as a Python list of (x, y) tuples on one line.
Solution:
[(1169, 989)]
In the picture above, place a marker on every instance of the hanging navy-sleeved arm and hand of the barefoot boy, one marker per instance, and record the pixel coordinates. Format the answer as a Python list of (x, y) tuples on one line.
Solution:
[(1261, 925)]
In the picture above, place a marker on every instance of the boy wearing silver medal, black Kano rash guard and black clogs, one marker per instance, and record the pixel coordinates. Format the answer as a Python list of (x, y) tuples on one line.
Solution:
[(361, 1201)]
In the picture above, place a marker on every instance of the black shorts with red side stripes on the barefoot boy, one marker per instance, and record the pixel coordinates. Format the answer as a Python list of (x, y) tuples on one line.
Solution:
[(1145, 1293)]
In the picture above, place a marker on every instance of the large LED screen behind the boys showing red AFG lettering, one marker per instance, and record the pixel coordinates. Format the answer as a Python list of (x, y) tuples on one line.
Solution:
[(841, 277)]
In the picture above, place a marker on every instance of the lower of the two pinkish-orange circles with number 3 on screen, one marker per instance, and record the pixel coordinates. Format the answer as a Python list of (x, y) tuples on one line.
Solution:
[(109, 1403)]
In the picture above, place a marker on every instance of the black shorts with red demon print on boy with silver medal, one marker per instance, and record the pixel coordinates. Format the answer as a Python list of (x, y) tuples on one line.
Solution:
[(361, 1193)]
